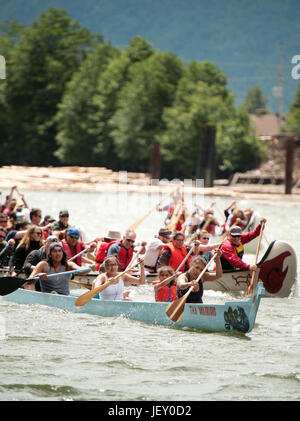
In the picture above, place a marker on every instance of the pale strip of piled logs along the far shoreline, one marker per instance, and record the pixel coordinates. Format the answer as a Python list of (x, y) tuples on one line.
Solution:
[(101, 180)]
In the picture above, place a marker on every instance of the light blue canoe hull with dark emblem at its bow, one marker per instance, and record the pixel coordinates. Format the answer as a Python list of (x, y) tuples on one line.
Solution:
[(237, 316)]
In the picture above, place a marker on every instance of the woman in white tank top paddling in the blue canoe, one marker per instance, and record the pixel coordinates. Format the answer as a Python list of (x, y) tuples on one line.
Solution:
[(115, 291)]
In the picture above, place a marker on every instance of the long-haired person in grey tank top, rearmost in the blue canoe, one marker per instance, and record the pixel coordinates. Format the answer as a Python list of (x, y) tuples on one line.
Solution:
[(56, 263)]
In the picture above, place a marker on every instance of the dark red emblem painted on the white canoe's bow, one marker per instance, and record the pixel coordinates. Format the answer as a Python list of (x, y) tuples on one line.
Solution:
[(271, 273)]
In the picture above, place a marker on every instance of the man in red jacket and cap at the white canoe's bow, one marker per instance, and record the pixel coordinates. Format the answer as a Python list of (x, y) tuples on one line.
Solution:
[(233, 250)]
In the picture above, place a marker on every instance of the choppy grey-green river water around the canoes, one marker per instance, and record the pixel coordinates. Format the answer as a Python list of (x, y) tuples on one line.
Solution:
[(50, 354)]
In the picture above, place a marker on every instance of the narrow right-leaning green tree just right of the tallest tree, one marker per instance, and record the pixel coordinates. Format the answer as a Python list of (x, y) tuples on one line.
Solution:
[(76, 138)]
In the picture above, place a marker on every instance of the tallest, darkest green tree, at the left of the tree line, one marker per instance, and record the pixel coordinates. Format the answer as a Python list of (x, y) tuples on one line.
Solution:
[(49, 51)]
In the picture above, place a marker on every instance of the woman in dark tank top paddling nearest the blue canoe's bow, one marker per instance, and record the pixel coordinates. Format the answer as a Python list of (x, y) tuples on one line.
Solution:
[(188, 279)]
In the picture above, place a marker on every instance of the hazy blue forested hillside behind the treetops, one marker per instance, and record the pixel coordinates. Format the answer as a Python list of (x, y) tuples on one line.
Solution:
[(240, 36)]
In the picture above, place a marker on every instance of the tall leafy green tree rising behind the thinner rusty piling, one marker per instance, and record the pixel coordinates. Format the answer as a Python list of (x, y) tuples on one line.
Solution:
[(138, 120)]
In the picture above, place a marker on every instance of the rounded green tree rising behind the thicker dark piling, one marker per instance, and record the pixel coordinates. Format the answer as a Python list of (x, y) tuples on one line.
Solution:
[(201, 98)]
